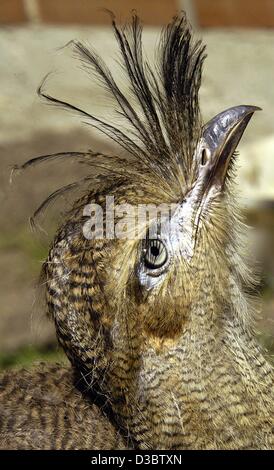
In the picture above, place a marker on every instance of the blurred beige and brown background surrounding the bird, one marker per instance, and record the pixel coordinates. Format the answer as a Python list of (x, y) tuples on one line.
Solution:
[(239, 70)]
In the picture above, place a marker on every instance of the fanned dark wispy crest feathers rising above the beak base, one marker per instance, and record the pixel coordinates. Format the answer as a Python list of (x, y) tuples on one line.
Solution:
[(162, 117)]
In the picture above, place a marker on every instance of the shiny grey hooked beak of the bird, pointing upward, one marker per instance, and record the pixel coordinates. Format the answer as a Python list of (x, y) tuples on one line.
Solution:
[(221, 136)]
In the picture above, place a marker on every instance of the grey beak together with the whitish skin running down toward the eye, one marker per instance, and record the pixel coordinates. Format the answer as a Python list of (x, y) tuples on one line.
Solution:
[(220, 138)]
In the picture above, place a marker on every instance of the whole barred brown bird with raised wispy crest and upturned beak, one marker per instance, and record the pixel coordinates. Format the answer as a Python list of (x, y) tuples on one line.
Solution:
[(159, 326)]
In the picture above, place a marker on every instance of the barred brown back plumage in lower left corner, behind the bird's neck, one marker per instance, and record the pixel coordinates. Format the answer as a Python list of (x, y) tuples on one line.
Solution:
[(45, 410)]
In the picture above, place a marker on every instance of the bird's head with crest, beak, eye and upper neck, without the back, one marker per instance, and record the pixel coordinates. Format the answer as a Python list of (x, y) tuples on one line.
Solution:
[(127, 306)]
